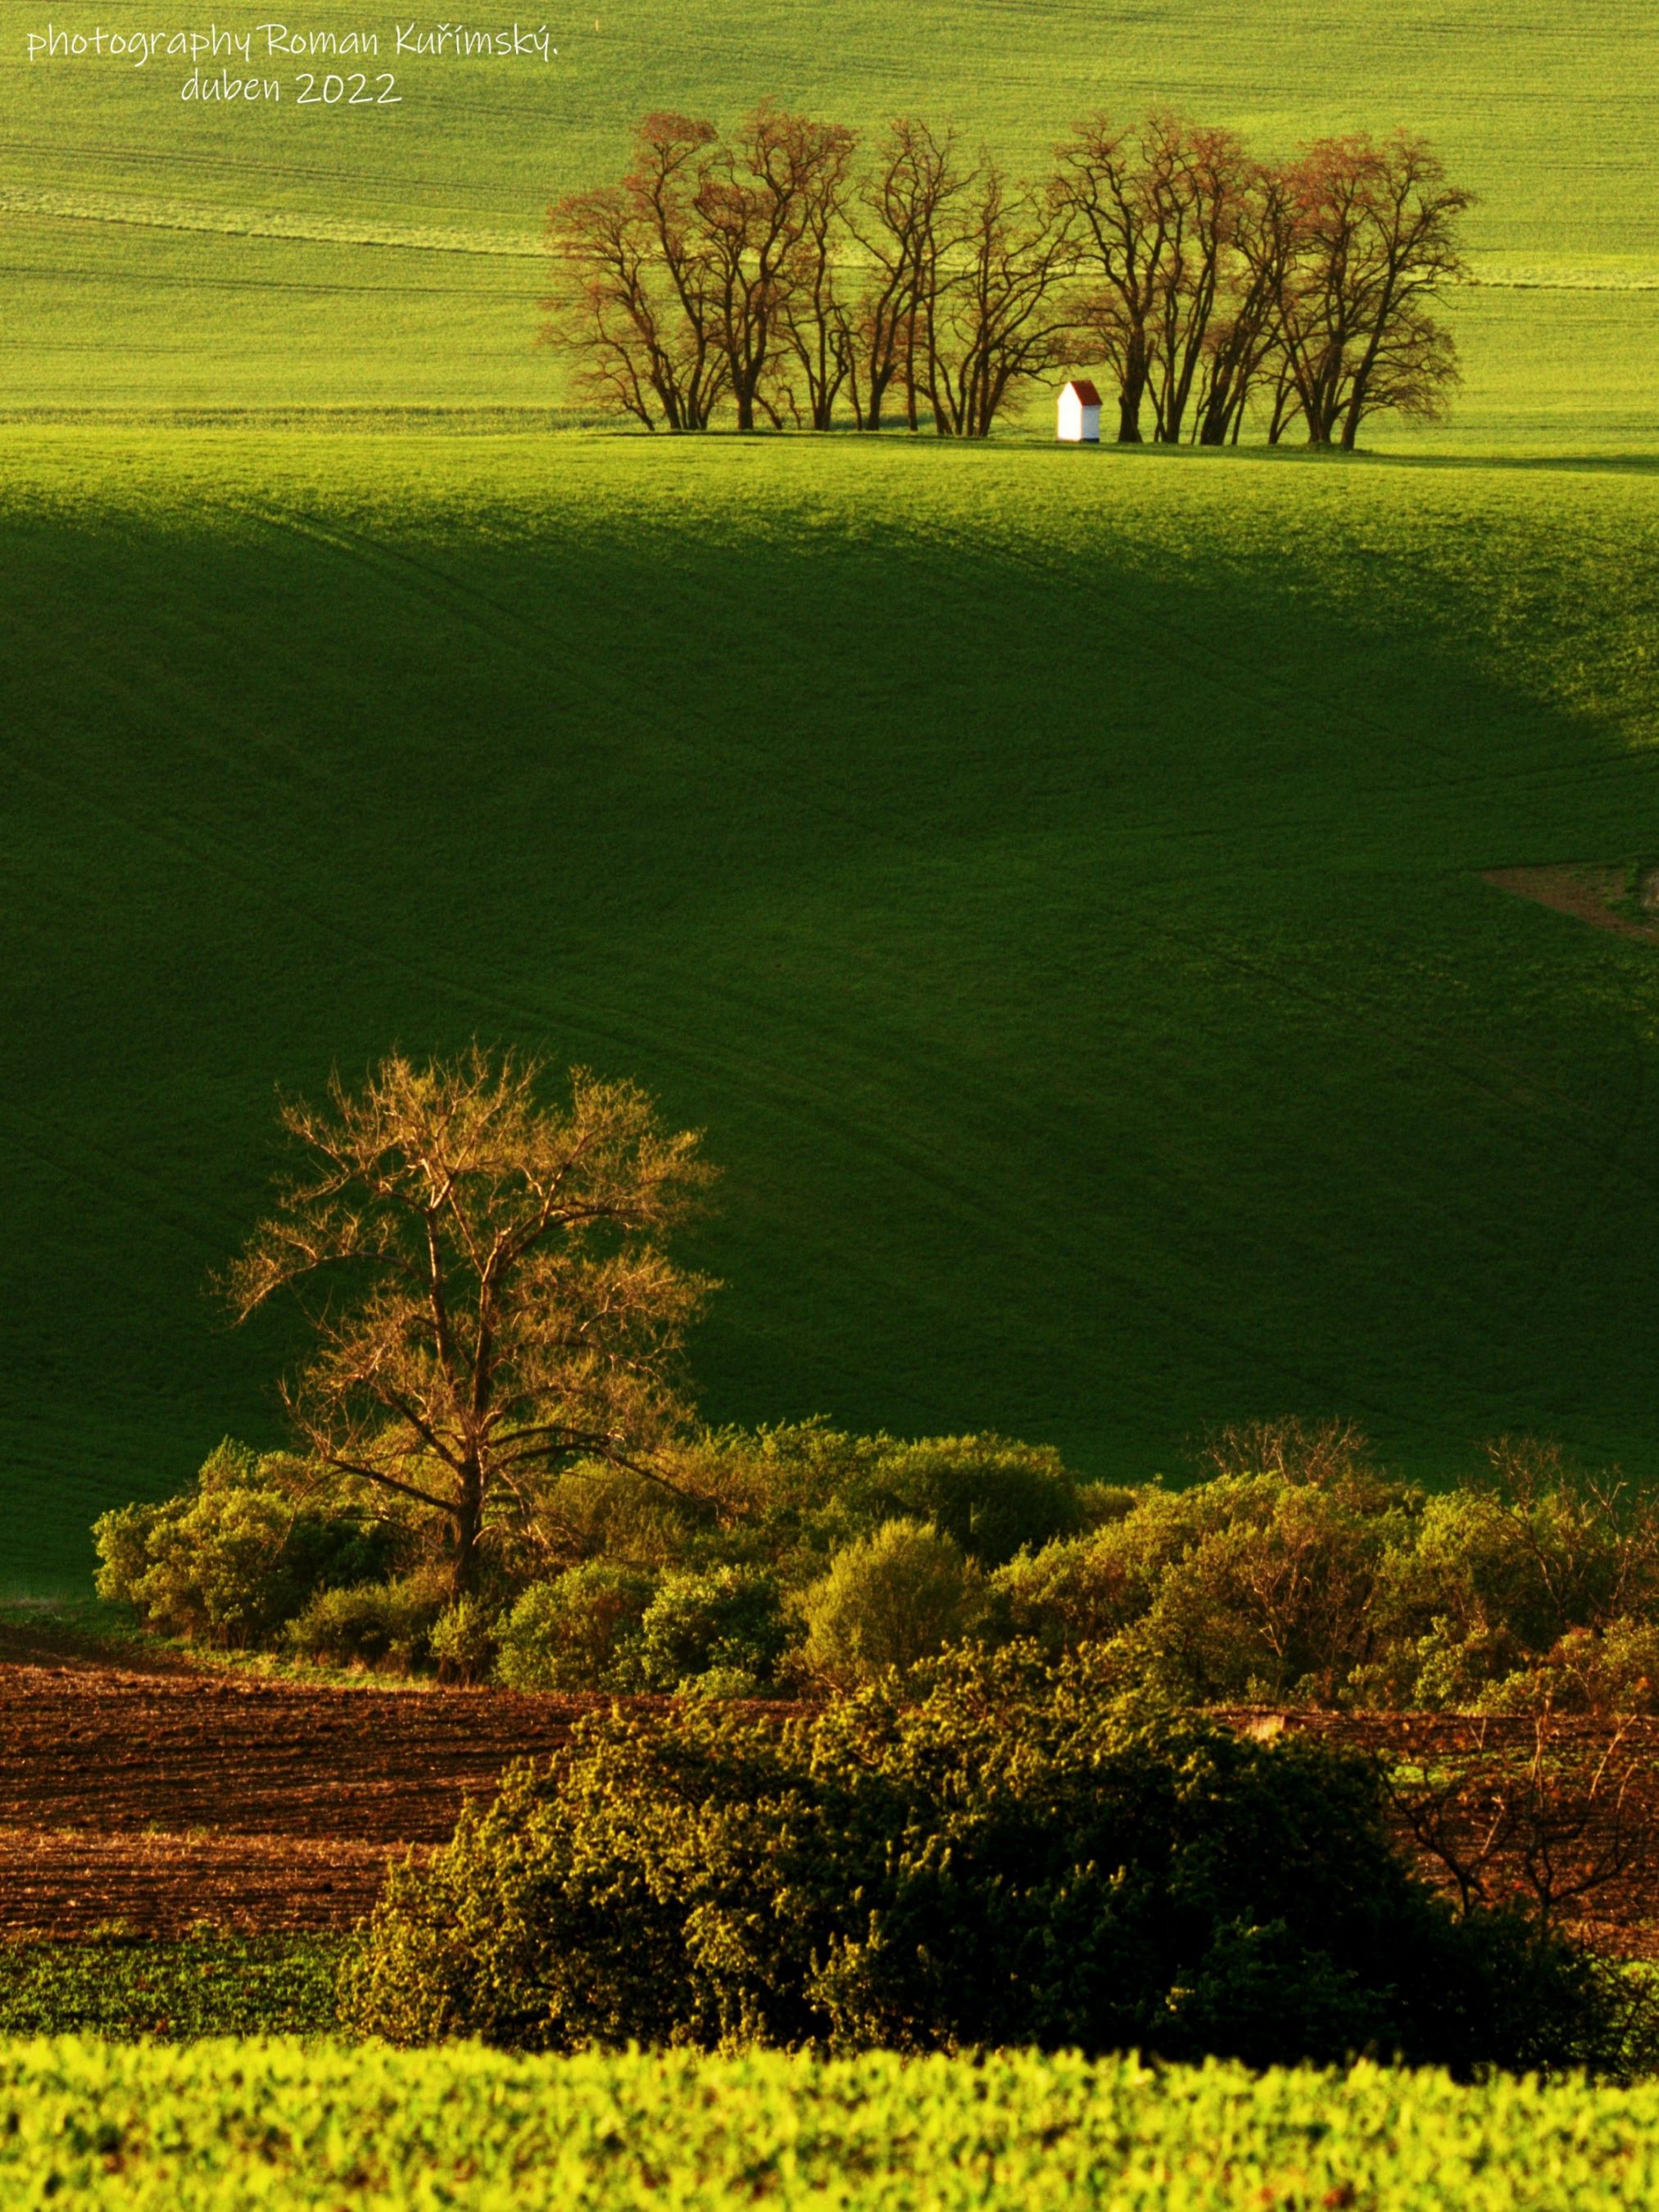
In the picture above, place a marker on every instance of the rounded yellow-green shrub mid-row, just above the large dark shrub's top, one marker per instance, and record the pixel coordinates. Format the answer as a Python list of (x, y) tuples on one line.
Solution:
[(888, 1603)]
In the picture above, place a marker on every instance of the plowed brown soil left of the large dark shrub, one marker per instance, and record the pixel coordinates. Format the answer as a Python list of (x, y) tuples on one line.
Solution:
[(167, 1799)]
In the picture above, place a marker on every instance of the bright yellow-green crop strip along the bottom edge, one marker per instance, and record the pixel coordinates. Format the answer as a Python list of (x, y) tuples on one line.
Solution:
[(286, 2125)]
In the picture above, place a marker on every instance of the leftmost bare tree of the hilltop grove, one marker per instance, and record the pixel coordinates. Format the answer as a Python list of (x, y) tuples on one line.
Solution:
[(634, 284)]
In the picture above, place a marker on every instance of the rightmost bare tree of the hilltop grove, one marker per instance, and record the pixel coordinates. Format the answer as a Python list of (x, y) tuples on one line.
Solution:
[(1377, 244)]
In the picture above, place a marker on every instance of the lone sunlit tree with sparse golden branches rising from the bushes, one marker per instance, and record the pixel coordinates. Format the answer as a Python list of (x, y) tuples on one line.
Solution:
[(486, 1284)]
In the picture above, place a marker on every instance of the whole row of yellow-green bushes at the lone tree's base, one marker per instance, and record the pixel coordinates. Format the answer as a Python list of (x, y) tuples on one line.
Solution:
[(804, 1561)]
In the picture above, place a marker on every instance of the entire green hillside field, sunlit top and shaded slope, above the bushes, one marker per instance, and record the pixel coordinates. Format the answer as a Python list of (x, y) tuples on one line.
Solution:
[(1054, 881)]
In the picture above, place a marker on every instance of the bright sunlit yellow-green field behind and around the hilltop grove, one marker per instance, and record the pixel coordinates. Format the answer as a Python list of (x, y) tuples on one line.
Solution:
[(185, 258)]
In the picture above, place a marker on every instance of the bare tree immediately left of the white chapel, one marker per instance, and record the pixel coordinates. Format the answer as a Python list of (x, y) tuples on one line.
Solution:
[(997, 317)]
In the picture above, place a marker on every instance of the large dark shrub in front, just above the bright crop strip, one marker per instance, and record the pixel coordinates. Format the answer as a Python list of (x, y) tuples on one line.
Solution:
[(1014, 1859)]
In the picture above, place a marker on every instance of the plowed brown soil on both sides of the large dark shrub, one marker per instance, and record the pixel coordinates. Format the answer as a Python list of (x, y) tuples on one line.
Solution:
[(169, 1799)]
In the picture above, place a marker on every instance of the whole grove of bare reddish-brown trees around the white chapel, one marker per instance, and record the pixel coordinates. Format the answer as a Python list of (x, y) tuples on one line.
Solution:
[(791, 269)]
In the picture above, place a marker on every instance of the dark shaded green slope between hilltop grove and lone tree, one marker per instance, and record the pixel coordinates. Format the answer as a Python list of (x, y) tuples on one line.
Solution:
[(1052, 879)]
